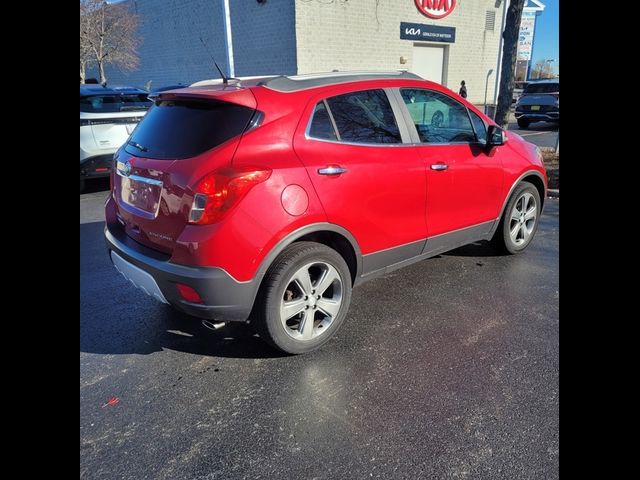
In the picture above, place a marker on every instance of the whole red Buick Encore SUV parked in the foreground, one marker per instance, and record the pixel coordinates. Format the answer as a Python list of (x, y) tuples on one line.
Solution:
[(269, 199)]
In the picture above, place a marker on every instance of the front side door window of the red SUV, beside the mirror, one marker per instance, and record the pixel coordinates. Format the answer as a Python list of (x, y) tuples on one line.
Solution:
[(438, 118)]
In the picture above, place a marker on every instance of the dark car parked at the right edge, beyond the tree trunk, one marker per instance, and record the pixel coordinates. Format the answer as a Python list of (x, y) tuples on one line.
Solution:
[(540, 102)]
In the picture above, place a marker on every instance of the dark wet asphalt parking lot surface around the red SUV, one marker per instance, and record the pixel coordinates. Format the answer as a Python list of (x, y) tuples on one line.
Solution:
[(445, 369)]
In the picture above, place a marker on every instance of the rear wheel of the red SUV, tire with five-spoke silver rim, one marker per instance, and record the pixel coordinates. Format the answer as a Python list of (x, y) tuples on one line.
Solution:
[(285, 289)]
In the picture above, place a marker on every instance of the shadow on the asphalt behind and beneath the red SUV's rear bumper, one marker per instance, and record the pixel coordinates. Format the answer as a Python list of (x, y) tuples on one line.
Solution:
[(116, 318)]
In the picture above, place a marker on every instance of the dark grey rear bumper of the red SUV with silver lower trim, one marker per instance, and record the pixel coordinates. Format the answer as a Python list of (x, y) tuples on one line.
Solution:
[(223, 298)]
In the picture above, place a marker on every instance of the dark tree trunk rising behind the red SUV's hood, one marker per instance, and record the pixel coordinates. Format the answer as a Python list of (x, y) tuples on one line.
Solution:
[(509, 52)]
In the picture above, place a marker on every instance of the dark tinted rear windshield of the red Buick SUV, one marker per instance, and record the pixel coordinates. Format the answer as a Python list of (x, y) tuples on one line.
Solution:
[(176, 129)]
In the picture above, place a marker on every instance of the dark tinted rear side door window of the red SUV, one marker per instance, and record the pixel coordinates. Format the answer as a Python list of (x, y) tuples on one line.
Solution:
[(364, 117)]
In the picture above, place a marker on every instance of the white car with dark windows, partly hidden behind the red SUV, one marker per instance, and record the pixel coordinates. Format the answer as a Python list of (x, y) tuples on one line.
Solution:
[(107, 118)]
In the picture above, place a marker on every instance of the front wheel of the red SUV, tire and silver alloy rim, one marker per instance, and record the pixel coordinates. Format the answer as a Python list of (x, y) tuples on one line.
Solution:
[(518, 218)]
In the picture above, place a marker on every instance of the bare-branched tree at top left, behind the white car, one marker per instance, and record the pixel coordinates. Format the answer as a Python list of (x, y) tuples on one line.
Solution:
[(110, 31)]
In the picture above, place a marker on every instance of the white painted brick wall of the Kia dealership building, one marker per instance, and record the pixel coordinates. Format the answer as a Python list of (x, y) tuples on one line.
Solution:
[(353, 34)]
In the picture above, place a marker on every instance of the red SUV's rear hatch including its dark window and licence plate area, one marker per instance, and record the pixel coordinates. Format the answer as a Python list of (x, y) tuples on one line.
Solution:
[(183, 137)]
